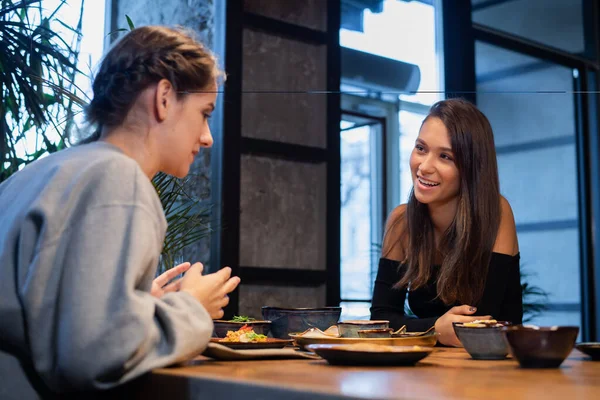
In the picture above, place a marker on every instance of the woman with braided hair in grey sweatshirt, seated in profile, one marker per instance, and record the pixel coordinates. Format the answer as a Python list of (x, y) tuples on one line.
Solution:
[(81, 231)]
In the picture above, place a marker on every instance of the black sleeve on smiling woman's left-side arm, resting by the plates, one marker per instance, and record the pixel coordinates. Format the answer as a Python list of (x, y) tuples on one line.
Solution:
[(388, 302)]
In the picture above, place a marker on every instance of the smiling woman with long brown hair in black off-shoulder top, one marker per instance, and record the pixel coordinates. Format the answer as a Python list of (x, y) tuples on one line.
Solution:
[(453, 246)]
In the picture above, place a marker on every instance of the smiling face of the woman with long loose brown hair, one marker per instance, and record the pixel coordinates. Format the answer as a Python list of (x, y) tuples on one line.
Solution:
[(435, 175)]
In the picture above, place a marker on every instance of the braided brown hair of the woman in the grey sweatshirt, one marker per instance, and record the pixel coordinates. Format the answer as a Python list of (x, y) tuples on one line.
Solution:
[(140, 59)]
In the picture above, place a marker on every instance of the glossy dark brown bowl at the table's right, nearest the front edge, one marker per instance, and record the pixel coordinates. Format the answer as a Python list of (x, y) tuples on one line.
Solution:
[(545, 347)]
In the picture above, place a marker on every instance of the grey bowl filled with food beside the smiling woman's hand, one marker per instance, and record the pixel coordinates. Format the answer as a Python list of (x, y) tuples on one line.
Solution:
[(483, 343)]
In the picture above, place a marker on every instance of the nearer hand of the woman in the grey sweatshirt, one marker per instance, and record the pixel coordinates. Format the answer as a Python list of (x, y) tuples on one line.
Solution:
[(210, 290)]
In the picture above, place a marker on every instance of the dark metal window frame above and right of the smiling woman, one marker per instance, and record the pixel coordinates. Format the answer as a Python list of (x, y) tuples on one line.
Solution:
[(586, 89)]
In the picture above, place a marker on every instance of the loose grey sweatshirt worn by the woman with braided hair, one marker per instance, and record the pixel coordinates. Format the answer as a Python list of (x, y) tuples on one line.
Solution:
[(80, 236)]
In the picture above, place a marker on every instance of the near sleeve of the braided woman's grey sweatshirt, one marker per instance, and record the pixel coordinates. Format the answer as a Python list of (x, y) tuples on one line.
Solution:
[(91, 324)]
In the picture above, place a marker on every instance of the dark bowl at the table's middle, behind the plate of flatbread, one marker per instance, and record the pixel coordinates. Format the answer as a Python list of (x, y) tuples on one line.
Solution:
[(294, 320)]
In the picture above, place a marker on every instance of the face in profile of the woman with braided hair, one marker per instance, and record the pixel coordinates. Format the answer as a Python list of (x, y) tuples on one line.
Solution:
[(189, 131)]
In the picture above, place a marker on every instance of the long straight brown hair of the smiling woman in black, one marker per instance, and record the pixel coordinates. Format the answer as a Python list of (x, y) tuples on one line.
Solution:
[(467, 244)]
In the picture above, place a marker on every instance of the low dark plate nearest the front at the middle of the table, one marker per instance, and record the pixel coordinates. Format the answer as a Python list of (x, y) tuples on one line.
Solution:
[(341, 354)]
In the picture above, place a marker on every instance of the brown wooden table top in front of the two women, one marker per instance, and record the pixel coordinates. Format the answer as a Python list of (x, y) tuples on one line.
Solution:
[(445, 374)]
